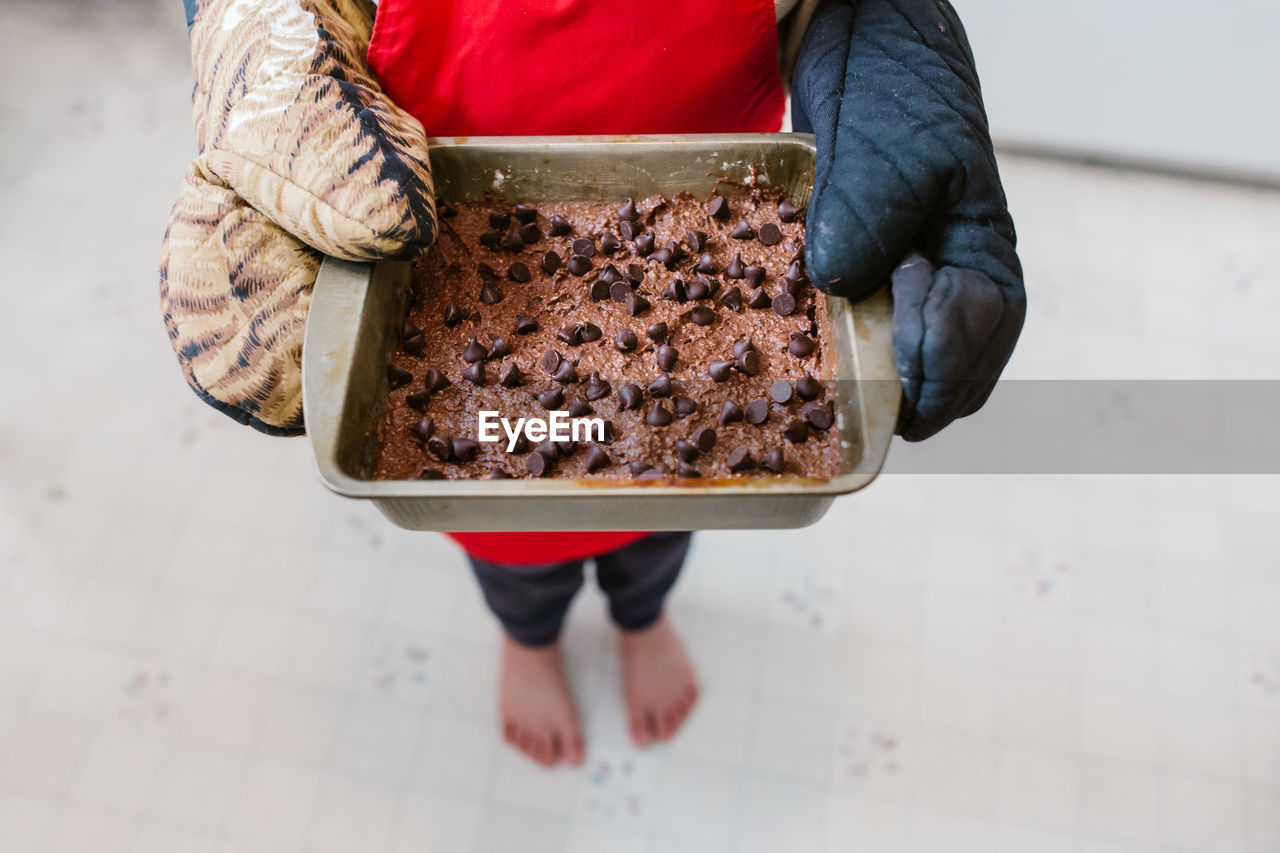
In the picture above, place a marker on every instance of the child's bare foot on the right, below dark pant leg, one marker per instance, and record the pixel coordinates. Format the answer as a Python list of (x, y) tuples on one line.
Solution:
[(659, 682)]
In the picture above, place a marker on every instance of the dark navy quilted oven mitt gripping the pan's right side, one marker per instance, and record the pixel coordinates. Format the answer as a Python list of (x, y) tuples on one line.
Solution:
[(906, 161)]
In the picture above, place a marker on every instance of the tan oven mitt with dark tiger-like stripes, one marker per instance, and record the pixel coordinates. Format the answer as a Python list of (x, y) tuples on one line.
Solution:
[(300, 156)]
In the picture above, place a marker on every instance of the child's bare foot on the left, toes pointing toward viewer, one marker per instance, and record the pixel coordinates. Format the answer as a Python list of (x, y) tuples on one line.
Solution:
[(538, 713)]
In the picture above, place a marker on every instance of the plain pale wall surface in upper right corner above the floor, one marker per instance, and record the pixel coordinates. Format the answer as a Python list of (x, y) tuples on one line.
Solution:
[(1174, 81)]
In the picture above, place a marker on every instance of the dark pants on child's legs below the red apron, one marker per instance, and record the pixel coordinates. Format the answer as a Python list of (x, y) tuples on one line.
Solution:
[(532, 601)]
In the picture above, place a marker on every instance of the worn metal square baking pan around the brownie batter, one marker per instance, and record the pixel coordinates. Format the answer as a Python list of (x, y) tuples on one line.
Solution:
[(358, 308)]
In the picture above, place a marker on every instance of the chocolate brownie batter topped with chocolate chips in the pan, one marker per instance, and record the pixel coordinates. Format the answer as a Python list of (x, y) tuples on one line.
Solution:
[(689, 326)]
